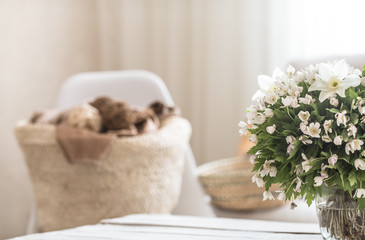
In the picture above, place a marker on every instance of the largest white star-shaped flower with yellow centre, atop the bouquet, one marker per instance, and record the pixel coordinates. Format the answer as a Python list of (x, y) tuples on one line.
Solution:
[(334, 79)]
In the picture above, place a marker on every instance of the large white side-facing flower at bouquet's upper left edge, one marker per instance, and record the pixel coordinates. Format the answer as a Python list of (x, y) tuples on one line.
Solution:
[(267, 84)]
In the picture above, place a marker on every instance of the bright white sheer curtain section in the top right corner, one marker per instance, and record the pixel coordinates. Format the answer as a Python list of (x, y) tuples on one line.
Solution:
[(310, 29)]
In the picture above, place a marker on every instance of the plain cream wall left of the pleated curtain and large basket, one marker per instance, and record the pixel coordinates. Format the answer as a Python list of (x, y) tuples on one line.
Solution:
[(41, 44)]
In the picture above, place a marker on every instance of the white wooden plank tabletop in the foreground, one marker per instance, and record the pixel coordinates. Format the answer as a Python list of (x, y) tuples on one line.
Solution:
[(169, 227)]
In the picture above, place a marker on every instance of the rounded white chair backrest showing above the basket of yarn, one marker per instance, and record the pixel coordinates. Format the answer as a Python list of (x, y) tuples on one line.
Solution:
[(137, 87)]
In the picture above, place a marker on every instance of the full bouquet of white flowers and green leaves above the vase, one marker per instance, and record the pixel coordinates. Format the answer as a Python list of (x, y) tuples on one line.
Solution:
[(309, 127)]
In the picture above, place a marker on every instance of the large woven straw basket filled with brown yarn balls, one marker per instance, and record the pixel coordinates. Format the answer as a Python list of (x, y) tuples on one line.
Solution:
[(140, 174)]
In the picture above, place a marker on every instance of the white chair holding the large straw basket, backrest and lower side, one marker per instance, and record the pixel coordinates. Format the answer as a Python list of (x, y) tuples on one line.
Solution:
[(139, 88)]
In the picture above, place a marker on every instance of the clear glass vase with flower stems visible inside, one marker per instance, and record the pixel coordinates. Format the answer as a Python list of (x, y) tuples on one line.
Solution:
[(339, 216)]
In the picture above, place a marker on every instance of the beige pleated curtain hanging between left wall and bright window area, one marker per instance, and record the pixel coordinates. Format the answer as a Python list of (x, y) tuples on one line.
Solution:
[(208, 53)]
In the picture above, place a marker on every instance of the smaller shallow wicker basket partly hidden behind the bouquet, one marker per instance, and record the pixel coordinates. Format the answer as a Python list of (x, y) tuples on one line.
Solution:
[(228, 182)]
